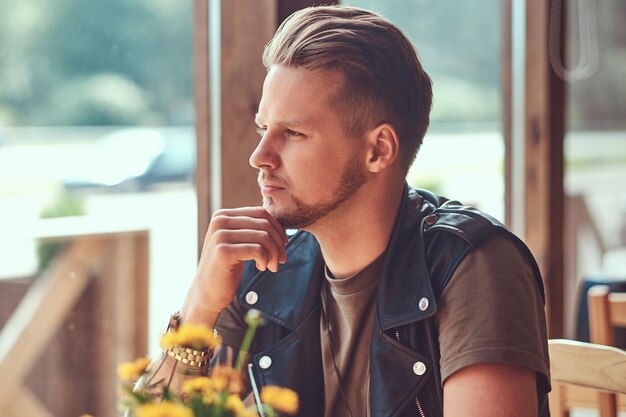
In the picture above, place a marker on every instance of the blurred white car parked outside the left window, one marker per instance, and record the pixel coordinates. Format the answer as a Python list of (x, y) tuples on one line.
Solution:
[(136, 159)]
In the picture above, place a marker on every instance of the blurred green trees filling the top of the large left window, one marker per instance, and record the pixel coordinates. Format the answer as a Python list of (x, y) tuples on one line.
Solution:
[(113, 62)]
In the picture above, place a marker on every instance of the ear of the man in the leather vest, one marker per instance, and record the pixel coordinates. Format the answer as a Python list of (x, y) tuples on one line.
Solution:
[(382, 148)]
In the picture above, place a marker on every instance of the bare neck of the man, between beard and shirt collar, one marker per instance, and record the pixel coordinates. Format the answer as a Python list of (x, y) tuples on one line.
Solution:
[(357, 232)]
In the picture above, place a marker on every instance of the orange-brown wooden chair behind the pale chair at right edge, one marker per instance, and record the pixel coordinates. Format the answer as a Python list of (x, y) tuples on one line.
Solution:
[(606, 311)]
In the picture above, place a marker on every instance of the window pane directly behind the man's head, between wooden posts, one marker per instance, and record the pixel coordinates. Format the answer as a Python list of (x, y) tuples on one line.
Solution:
[(463, 152)]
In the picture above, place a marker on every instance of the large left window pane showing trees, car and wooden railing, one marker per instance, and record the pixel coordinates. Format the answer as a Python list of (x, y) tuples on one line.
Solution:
[(97, 145)]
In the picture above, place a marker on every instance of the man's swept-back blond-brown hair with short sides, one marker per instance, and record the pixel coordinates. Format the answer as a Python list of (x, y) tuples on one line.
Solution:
[(382, 79)]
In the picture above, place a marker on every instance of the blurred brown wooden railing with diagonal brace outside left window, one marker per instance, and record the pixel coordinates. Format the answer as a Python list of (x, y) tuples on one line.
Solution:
[(75, 324)]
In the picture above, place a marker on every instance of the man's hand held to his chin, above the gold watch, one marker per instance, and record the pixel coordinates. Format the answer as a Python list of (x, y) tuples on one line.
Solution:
[(234, 236)]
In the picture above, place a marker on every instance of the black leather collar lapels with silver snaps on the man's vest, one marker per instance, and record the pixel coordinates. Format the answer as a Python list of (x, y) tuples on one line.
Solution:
[(289, 295)]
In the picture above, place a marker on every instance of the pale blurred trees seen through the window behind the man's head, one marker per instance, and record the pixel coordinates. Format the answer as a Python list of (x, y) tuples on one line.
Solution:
[(459, 44)]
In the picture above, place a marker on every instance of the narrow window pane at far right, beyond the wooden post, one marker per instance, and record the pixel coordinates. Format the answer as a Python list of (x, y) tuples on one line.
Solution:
[(595, 153)]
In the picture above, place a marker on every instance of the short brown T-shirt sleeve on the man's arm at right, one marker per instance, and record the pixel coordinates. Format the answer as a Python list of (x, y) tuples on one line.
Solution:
[(492, 311)]
